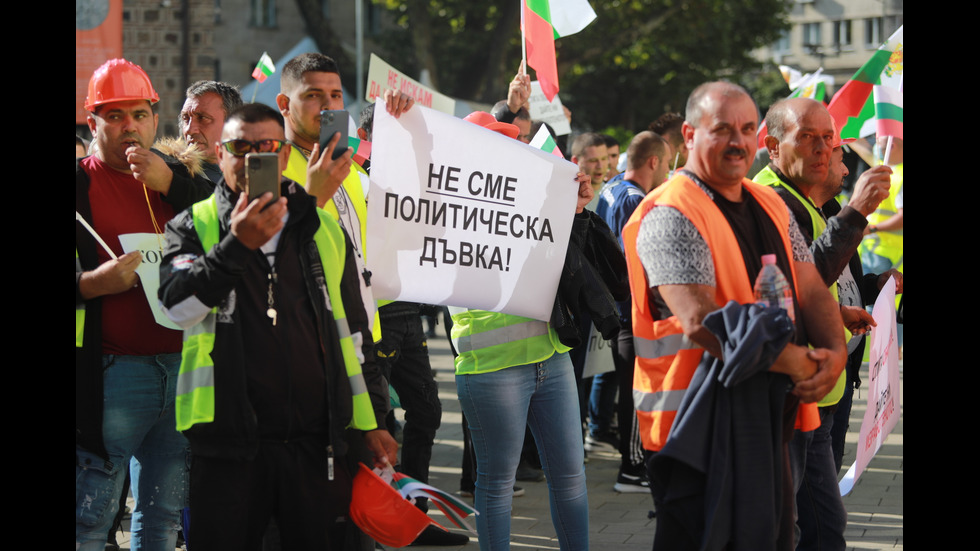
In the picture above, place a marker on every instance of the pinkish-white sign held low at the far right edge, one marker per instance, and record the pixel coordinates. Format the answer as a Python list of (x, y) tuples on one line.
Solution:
[(883, 408)]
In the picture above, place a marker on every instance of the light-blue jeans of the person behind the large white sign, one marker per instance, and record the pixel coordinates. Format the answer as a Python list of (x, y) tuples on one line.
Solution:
[(497, 406)]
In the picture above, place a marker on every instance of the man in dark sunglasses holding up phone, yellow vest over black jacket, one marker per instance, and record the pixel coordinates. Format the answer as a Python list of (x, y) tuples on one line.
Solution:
[(277, 355)]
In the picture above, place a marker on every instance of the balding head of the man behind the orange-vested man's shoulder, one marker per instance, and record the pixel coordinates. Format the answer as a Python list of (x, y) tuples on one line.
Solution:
[(800, 141)]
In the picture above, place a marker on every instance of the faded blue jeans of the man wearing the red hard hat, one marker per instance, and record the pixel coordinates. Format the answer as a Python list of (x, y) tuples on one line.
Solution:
[(139, 432)]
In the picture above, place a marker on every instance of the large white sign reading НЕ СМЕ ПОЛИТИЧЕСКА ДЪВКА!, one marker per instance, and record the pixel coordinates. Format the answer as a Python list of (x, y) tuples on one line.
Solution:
[(460, 215)]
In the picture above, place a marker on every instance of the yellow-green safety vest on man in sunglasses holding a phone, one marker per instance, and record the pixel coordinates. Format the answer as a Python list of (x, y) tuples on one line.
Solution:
[(195, 382)]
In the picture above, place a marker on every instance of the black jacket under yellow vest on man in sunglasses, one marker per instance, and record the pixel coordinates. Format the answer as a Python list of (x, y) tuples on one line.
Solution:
[(212, 276)]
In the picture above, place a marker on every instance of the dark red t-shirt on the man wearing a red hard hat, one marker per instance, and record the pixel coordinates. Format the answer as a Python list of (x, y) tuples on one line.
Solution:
[(119, 206)]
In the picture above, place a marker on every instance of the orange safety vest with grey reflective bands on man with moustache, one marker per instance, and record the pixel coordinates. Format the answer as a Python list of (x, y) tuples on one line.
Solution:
[(665, 358)]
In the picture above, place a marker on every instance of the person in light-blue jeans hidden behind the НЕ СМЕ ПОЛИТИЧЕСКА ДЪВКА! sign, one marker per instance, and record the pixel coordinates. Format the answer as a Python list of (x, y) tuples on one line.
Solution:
[(512, 372)]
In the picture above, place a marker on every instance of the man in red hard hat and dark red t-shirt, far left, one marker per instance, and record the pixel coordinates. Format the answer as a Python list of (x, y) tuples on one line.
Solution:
[(126, 363)]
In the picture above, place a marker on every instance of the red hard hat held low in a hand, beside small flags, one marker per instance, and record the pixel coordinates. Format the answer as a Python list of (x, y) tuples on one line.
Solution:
[(382, 513)]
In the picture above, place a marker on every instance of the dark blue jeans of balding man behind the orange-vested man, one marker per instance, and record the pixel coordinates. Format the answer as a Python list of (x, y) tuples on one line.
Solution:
[(821, 517)]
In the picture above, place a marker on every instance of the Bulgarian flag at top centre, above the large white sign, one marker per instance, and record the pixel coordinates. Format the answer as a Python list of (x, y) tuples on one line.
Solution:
[(542, 21)]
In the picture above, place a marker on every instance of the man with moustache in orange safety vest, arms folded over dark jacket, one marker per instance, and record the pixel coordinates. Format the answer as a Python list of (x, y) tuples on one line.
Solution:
[(693, 245)]
